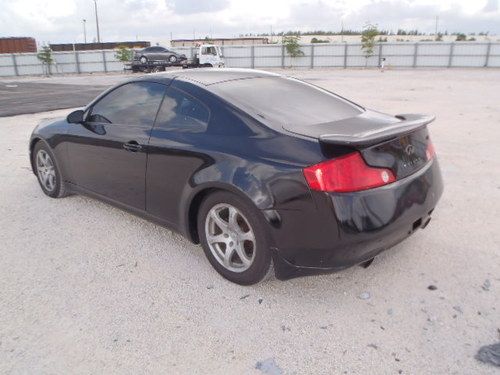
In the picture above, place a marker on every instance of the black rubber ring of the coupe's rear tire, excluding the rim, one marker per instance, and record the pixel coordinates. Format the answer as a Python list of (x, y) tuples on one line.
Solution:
[(262, 261)]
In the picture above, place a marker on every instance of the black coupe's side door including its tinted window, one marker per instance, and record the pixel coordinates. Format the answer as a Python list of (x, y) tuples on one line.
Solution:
[(108, 151)]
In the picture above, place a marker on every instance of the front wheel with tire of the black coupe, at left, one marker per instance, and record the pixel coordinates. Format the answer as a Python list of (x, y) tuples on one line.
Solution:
[(48, 171)]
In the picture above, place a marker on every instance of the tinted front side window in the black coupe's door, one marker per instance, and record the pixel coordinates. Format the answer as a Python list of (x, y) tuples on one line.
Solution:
[(134, 103)]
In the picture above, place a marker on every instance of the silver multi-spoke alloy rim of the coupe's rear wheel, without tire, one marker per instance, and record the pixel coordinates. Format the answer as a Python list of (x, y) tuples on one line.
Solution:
[(230, 237)]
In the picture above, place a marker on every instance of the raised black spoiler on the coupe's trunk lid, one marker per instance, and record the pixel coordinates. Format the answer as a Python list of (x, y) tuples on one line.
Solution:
[(370, 135)]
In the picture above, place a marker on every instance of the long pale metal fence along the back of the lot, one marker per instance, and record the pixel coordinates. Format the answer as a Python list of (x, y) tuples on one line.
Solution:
[(345, 55)]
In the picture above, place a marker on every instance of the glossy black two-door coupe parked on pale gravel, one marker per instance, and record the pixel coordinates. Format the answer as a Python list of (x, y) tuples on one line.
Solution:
[(266, 172)]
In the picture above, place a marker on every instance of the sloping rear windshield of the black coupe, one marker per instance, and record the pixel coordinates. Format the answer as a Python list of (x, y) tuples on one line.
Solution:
[(284, 101)]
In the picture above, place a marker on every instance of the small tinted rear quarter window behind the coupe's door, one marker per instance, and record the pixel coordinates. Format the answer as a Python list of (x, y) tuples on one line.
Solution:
[(182, 113)]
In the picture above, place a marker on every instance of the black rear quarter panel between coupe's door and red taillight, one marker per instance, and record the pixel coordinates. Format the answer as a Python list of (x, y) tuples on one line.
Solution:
[(236, 153)]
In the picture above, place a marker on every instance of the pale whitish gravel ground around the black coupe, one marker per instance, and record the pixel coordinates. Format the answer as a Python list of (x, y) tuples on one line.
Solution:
[(87, 288)]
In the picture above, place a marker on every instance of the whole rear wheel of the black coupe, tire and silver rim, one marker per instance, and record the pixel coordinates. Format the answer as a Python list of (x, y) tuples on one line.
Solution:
[(246, 236)]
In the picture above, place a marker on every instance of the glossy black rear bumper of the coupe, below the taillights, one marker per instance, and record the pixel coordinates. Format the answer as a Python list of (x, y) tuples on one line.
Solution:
[(346, 229)]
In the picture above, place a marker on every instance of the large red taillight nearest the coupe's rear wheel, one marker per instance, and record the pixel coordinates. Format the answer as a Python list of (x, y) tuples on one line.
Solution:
[(346, 173)]
